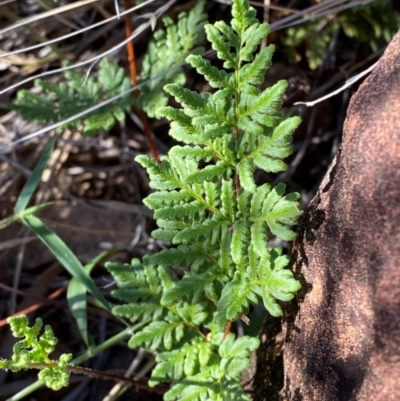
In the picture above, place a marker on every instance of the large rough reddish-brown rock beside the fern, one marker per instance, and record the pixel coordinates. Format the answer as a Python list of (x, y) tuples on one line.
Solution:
[(343, 342)]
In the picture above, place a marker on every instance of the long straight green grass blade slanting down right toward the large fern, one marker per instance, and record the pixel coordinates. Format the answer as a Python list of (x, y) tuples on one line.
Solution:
[(65, 256)]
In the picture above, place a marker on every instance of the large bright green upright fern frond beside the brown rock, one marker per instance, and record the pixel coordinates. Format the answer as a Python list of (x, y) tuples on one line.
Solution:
[(209, 206)]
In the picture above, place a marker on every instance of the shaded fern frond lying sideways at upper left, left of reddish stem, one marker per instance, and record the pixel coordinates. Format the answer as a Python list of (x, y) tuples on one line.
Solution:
[(58, 101)]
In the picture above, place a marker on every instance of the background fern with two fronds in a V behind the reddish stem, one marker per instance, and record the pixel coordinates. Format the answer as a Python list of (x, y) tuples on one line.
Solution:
[(51, 102)]
